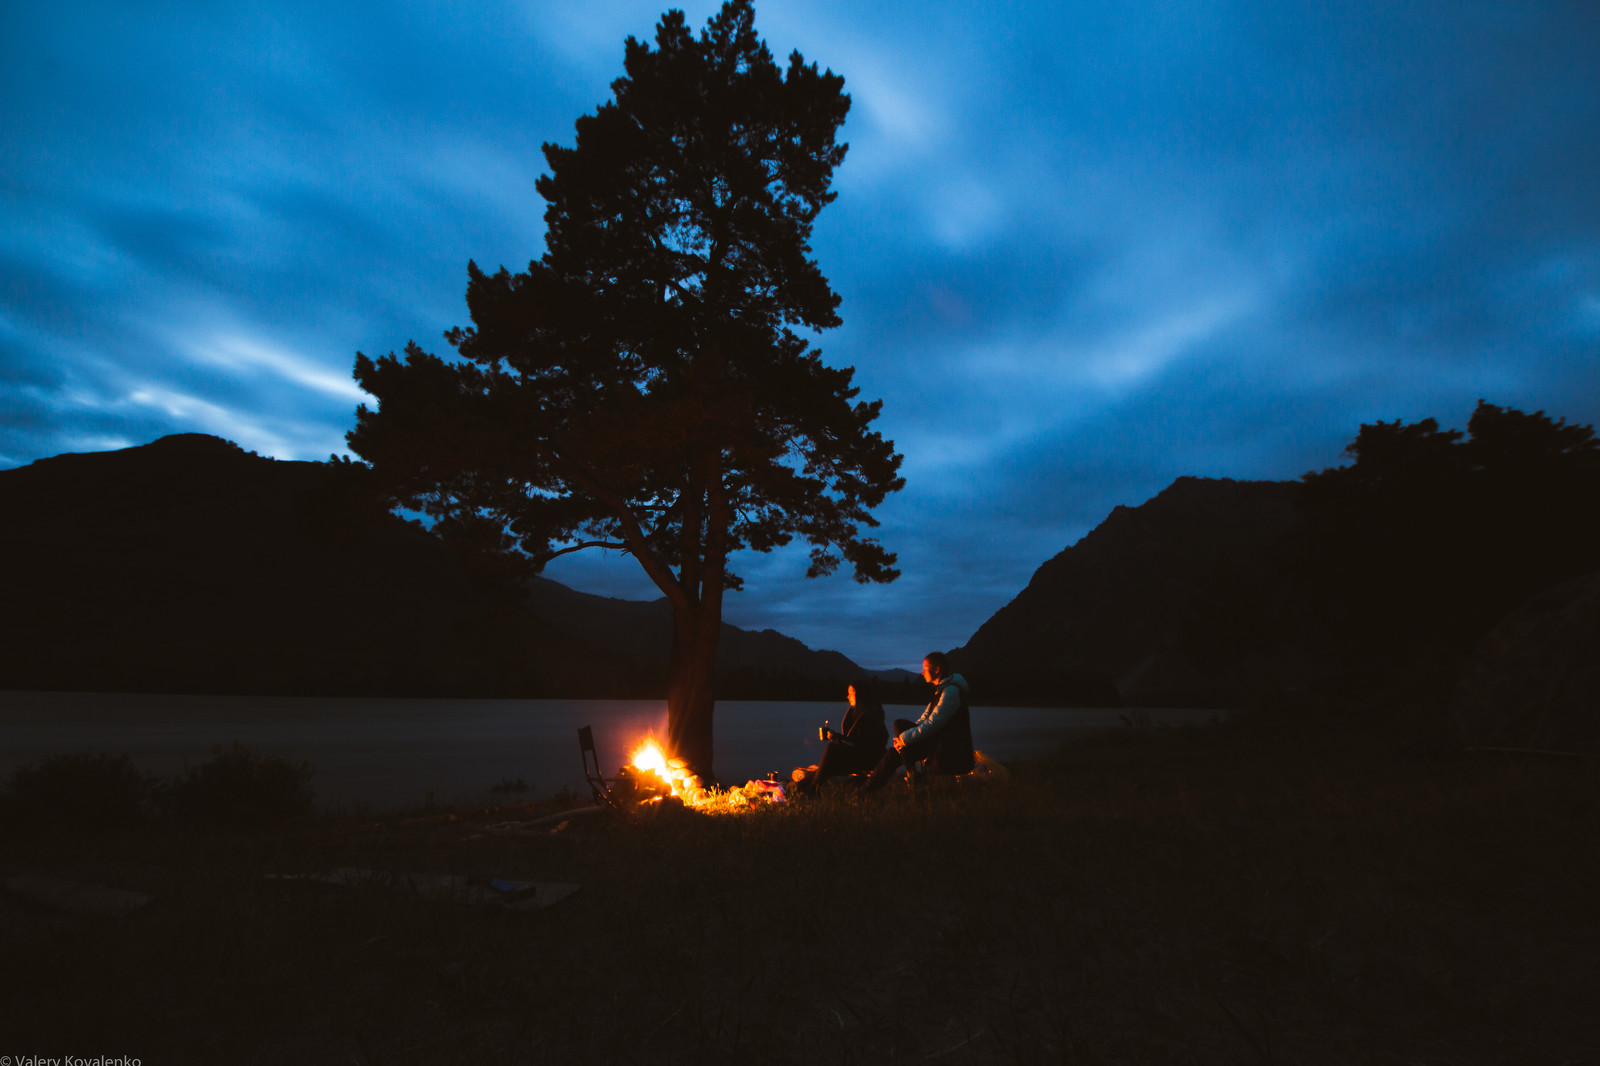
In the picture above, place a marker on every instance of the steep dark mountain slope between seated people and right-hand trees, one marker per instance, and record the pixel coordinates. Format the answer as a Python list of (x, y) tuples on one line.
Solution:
[(1098, 625)]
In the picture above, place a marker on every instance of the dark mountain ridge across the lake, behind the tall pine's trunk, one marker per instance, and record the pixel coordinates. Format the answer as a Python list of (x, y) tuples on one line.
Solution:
[(193, 566)]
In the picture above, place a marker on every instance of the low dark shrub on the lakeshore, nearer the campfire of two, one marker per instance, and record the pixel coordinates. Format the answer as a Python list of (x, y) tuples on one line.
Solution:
[(241, 790)]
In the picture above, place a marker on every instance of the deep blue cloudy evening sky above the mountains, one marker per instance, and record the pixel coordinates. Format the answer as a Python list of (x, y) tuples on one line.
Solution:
[(1084, 249)]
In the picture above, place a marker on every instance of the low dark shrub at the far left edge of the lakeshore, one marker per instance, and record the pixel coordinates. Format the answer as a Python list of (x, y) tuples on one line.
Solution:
[(76, 791)]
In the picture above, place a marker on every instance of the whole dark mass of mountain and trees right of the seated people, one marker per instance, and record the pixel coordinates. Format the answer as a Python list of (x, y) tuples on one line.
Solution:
[(1380, 575)]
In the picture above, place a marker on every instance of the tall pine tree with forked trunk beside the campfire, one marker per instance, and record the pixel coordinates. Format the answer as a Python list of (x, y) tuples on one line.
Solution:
[(642, 388)]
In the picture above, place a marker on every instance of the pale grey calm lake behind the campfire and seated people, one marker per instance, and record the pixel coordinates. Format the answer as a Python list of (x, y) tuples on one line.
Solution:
[(394, 753)]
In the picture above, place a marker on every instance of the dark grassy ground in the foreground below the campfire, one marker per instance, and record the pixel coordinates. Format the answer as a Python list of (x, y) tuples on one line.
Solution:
[(1254, 894)]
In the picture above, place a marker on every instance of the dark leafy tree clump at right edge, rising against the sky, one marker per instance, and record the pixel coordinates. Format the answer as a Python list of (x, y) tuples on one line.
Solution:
[(1430, 537)]
